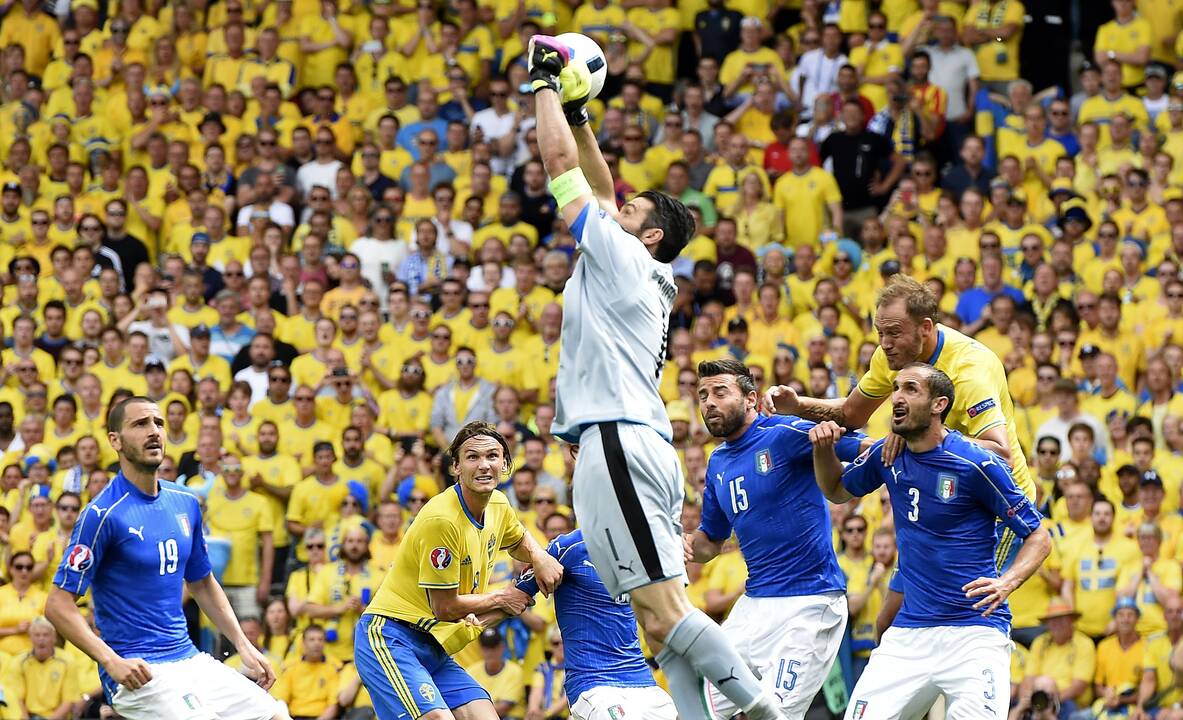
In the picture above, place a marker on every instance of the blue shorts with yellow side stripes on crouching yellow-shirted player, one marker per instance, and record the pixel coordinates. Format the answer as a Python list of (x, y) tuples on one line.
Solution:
[(408, 673)]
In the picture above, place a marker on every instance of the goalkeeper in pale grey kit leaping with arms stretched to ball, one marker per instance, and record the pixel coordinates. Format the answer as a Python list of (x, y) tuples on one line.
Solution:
[(628, 485)]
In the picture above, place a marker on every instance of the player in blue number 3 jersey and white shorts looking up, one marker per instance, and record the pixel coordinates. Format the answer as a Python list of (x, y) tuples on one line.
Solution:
[(952, 635)]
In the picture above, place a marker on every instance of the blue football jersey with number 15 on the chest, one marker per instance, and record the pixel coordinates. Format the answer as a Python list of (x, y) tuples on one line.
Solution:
[(762, 487)]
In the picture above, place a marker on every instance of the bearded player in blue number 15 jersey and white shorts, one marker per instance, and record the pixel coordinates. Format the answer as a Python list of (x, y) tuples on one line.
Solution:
[(790, 622)]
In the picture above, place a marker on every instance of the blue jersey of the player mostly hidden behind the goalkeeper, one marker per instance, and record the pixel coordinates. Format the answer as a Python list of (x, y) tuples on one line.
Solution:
[(600, 644)]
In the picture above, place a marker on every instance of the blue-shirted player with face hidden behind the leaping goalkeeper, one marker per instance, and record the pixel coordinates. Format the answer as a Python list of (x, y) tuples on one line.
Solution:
[(607, 677)]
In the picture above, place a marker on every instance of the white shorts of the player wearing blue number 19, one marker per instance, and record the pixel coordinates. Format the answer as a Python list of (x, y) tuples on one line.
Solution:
[(196, 689)]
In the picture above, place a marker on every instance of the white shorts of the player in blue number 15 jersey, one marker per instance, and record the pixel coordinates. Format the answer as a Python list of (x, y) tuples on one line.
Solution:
[(790, 643)]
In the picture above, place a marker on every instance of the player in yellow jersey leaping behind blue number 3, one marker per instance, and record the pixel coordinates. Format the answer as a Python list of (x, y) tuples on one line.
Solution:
[(984, 412)]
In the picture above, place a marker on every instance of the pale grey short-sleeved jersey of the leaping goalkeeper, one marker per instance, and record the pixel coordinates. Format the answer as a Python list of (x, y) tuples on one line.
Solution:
[(616, 321)]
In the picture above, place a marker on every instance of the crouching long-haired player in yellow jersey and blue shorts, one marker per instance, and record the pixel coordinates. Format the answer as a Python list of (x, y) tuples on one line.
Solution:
[(425, 612)]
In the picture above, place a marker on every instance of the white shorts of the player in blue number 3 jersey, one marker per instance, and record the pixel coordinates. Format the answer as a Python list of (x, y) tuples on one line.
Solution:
[(971, 666)]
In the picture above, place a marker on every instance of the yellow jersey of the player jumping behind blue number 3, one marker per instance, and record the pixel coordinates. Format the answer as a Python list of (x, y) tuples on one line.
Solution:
[(982, 397)]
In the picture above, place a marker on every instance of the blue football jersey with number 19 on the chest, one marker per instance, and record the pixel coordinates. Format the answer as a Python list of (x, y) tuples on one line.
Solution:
[(135, 553)]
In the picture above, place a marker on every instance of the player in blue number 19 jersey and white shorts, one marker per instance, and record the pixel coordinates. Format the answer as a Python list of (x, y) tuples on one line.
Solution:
[(135, 547)]
